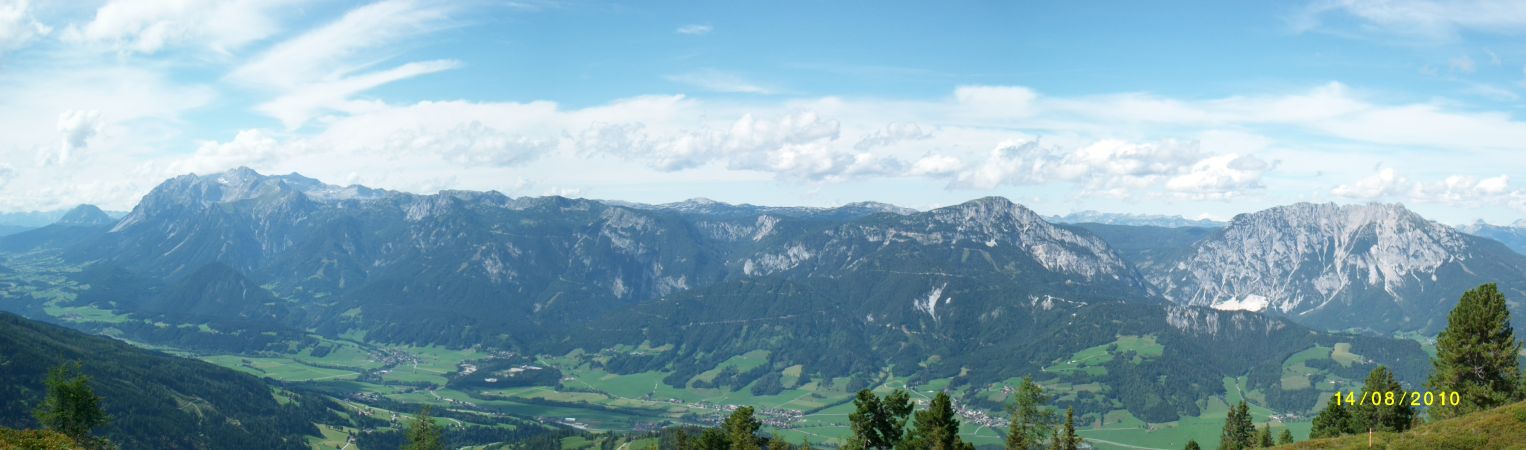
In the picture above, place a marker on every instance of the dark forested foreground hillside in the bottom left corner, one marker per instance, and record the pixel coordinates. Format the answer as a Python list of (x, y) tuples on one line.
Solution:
[(155, 400)]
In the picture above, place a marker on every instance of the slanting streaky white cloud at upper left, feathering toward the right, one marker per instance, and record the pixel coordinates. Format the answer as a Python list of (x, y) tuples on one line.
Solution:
[(323, 69)]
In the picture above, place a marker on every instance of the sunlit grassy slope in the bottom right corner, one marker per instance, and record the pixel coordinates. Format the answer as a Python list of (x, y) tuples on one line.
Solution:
[(1502, 428)]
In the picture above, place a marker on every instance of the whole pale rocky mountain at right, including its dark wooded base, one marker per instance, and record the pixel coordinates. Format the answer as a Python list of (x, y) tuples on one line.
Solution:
[(1360, 266)]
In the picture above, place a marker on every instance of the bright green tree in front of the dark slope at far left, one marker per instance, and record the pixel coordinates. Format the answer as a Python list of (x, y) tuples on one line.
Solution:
[(71, 407)]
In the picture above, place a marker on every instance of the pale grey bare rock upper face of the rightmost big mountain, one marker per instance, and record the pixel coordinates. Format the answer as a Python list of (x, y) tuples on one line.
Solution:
[(1305, 256)]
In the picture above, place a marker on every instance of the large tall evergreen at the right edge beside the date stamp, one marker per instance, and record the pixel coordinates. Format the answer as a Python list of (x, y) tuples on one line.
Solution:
[(1476, 356)]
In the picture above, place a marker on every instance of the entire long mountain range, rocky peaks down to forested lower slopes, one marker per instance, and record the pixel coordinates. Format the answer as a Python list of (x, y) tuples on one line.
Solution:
[(976, 292)]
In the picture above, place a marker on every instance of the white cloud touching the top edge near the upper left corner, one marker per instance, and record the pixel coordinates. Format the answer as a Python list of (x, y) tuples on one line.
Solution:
[(149, 27)]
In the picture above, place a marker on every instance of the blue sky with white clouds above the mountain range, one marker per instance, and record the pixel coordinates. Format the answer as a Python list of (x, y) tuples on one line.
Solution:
[(1205, 109)]
